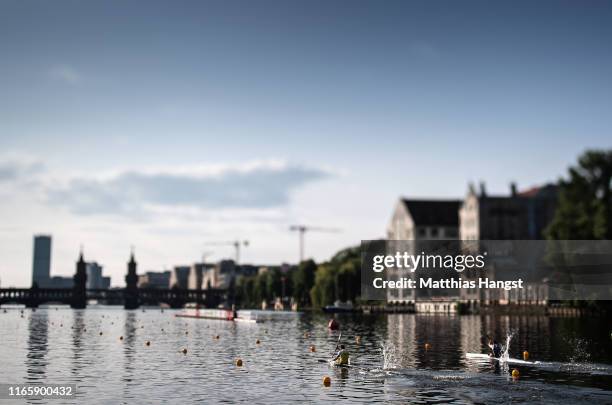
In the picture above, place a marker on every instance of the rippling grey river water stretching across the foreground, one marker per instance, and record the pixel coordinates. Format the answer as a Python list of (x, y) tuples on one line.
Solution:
[(83, 347)]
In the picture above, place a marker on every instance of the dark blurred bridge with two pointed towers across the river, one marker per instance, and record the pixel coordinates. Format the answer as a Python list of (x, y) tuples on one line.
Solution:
[(130, 297)]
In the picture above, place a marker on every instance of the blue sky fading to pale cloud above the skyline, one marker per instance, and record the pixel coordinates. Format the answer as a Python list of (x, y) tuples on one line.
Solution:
[(171, 125)]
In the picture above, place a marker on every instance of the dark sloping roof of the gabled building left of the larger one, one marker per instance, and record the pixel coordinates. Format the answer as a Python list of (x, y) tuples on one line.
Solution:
[(433, 212)]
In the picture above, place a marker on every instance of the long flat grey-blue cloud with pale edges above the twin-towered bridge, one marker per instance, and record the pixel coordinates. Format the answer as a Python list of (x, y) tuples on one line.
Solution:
[(258, 185)]
